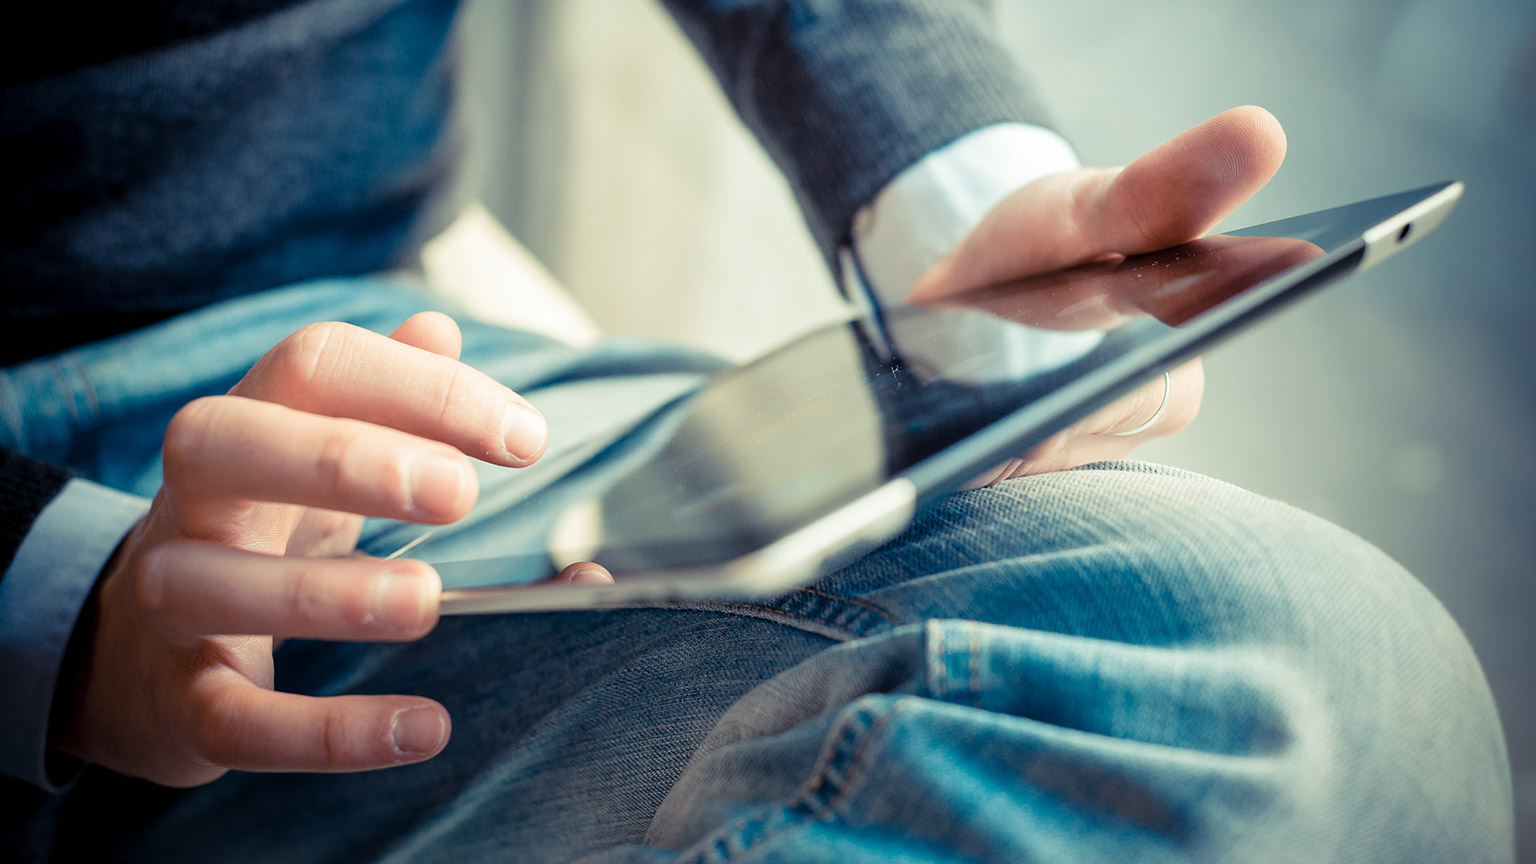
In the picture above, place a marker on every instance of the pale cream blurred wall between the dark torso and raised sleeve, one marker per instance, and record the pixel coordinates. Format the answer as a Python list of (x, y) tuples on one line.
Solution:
[(634, 182)]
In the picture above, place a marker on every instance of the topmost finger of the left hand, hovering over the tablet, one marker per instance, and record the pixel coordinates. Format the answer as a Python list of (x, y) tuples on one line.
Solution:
[(345, 371)]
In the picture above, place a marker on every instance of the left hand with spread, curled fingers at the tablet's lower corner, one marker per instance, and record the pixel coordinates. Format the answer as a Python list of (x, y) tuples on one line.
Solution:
[(251, 539)]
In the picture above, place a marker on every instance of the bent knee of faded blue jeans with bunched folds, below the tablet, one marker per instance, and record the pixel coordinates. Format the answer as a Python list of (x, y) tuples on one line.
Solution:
[(1121, 663)]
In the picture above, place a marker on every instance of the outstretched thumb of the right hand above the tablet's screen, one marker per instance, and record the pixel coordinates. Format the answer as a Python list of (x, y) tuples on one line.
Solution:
[(1174, 193)]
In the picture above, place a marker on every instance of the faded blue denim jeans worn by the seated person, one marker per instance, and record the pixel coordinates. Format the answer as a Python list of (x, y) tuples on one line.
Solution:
[(1117, 663)]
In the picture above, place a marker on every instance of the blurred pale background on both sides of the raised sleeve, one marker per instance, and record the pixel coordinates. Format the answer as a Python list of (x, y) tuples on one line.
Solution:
[(1400, 405)]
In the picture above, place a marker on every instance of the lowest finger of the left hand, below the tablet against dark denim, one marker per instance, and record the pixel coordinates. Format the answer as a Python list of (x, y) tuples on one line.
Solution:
[(247, 728)]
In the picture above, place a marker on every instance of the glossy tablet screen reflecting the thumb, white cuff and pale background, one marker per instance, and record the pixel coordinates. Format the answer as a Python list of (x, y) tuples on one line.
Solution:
[(775, 445)]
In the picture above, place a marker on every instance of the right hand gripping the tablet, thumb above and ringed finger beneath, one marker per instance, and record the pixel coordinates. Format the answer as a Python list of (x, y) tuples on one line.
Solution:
[(1173, 194)]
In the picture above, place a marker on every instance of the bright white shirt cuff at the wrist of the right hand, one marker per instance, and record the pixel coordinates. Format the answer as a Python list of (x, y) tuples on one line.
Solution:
[(922, 214)]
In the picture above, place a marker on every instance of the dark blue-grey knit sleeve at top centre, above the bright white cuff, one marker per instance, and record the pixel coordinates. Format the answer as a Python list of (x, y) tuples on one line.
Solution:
[(847, 95)]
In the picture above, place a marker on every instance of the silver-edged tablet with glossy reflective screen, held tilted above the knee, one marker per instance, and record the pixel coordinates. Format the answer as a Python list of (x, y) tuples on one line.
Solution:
[(795, 465)]
